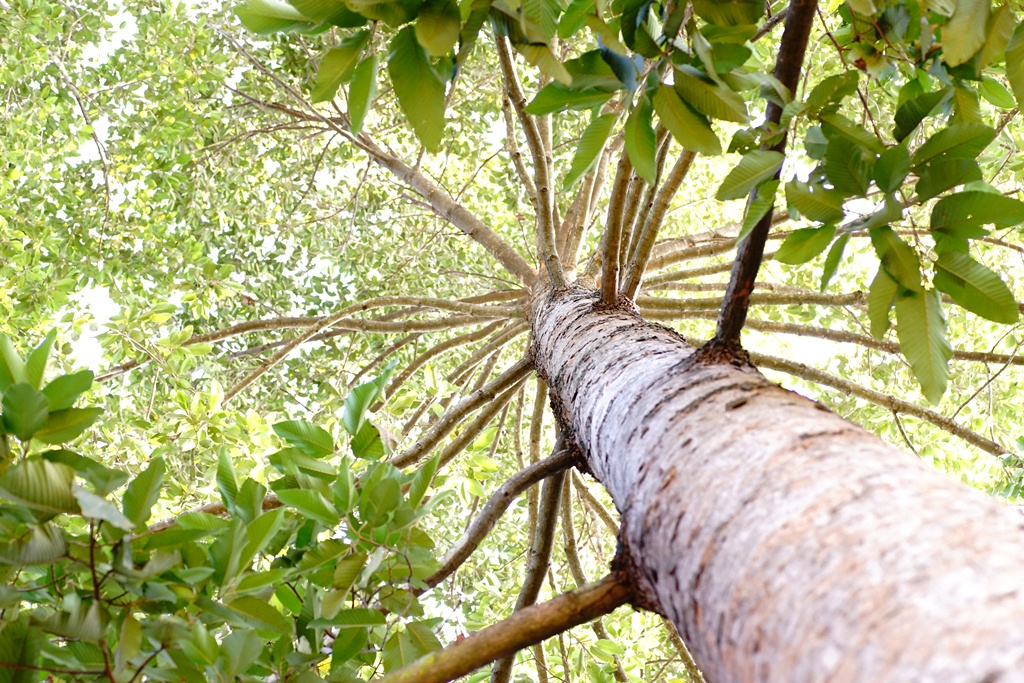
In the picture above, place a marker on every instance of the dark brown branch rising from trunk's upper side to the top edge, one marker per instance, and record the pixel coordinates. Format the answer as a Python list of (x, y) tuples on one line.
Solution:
[(800, 18)]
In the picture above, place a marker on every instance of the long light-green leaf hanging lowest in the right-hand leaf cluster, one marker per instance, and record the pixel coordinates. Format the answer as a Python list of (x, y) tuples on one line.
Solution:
[(921, 328)]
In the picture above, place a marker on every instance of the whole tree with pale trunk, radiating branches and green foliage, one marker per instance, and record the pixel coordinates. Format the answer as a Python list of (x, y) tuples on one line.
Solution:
[(782, 541)]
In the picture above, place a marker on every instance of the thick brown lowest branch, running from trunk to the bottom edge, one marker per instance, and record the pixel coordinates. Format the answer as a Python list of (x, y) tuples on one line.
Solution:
[(523, 629)]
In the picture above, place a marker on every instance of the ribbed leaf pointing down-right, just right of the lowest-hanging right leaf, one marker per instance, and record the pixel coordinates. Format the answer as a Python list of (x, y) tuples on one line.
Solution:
[(975, 287)]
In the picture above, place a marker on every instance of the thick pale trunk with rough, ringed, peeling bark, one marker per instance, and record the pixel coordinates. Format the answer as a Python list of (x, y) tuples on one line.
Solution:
[(784, 542)]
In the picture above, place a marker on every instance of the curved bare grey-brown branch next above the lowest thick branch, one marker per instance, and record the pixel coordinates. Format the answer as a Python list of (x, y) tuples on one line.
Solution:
[(493, 511)]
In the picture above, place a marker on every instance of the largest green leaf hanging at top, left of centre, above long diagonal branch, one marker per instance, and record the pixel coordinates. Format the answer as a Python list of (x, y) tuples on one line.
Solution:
[(419, 89)]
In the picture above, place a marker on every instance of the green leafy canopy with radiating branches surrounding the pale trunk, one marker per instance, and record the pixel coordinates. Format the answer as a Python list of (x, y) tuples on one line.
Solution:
[(269, 269)]
